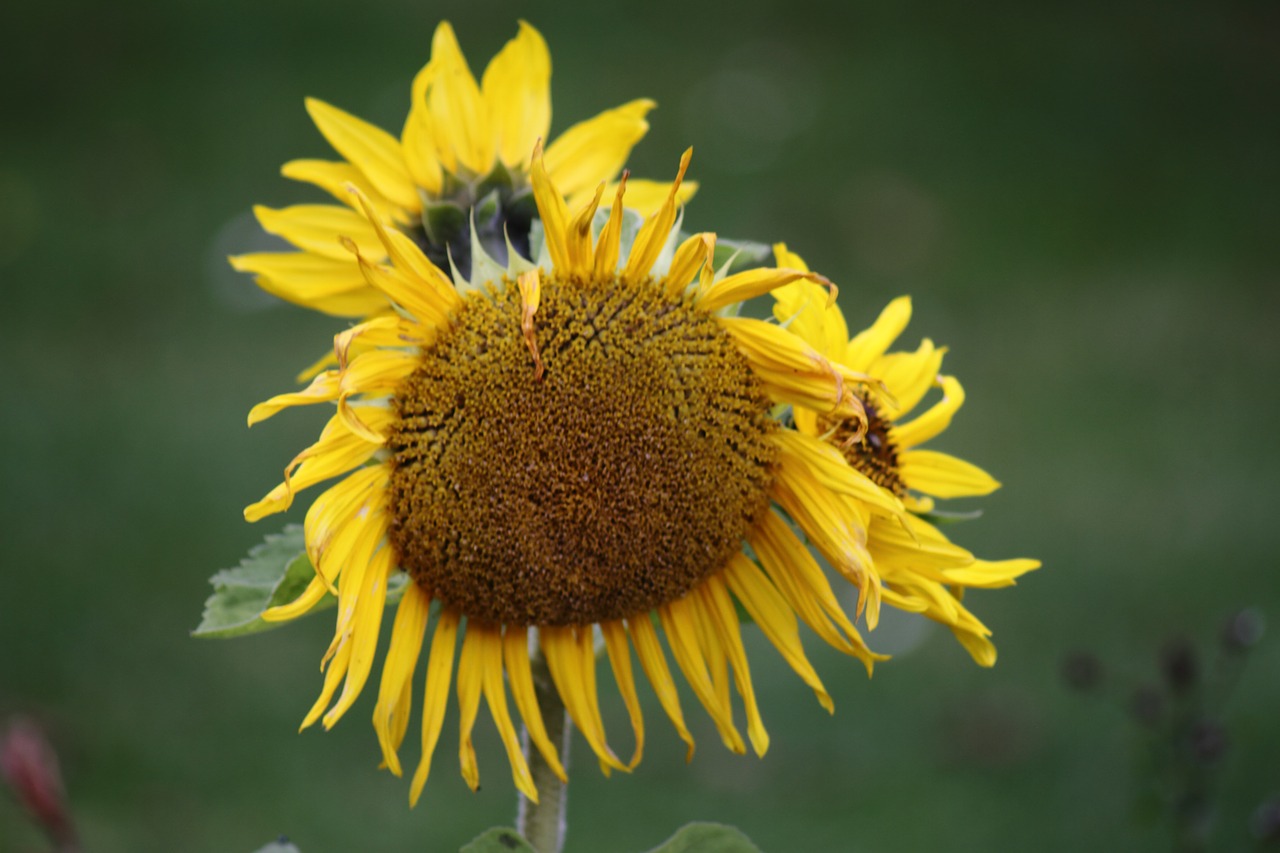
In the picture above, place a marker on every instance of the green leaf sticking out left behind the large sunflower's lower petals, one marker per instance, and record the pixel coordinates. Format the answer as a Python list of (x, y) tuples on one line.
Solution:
[(275, 573)]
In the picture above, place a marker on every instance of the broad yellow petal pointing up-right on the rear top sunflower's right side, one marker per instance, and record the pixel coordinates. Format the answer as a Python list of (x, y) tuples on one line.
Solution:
[(596, 150)]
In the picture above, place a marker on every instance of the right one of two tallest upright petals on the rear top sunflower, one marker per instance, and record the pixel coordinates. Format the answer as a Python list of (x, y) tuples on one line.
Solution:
[(516, 89)]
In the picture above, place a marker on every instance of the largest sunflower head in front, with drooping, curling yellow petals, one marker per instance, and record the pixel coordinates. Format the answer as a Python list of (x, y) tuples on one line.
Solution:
[(575, 448)]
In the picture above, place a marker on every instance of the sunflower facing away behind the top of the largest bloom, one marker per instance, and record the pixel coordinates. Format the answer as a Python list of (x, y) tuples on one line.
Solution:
[(456, 179)]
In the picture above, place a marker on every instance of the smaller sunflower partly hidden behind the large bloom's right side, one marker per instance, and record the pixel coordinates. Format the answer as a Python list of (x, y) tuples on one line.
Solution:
[(917, 567)]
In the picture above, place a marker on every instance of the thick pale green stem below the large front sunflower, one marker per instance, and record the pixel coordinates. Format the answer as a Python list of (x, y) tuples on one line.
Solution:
[(543, 823)]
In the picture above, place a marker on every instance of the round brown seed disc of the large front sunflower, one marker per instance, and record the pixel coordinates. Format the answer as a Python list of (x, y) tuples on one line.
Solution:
[(616, 482)]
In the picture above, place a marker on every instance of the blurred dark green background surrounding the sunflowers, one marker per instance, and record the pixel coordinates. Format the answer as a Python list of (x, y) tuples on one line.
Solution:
[(1082, 200)]
